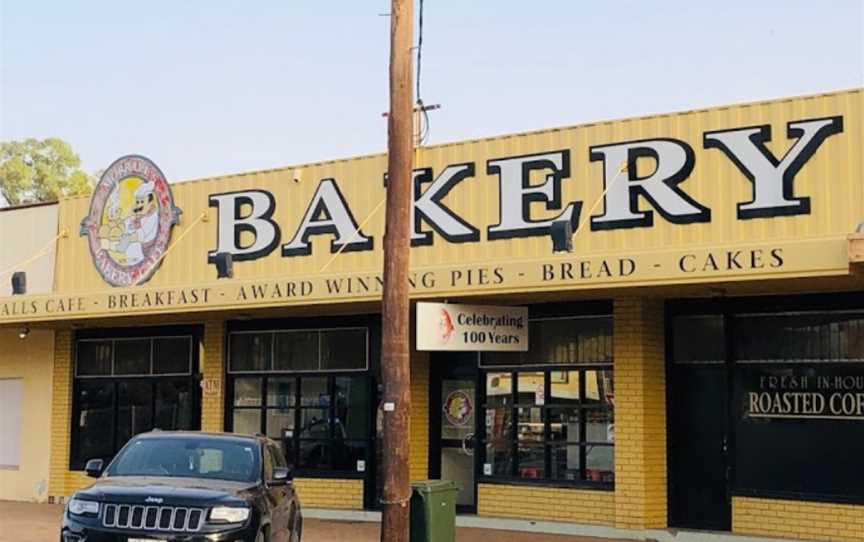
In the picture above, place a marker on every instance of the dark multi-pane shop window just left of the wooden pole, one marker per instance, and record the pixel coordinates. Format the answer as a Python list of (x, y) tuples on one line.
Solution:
[(309, 389)]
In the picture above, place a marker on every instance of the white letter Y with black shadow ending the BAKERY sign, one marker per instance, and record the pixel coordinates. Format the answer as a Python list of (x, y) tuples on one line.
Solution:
[(773, 180)]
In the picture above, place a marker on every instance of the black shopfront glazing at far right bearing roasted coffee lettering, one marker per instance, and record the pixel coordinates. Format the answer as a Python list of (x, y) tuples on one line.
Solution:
[(781, 389)]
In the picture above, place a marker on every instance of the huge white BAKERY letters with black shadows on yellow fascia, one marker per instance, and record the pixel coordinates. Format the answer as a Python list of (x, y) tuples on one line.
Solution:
[(772, 181)]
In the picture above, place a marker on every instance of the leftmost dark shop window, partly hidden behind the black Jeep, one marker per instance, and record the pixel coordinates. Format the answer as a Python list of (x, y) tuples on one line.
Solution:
[(124, 386)]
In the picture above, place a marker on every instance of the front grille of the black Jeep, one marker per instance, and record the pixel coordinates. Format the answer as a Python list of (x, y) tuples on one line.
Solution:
[(153, 518)]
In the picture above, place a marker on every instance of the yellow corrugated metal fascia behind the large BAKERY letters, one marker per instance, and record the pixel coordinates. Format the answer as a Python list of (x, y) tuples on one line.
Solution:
[(832, 179)]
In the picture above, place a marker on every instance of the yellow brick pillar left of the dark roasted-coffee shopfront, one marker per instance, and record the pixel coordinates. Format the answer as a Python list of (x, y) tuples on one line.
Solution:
[(640, 414)]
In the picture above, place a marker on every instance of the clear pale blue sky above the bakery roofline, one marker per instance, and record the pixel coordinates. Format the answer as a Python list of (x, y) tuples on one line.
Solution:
[(215, 87)]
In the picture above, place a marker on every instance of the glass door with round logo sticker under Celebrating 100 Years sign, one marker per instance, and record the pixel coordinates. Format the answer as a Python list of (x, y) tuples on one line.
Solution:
[(453, 428)]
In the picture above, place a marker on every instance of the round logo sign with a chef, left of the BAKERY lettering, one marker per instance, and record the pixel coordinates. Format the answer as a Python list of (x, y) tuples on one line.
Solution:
[(129, 224)]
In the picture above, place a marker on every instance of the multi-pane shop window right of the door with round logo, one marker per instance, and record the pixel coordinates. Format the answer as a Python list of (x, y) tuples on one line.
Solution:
[(549, 412)]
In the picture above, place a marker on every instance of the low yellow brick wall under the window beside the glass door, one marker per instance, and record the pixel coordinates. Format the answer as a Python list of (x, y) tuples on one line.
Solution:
[(546, 503)]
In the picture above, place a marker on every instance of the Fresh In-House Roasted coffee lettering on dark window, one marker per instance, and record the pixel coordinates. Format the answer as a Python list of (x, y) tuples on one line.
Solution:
[(833, 397)]
